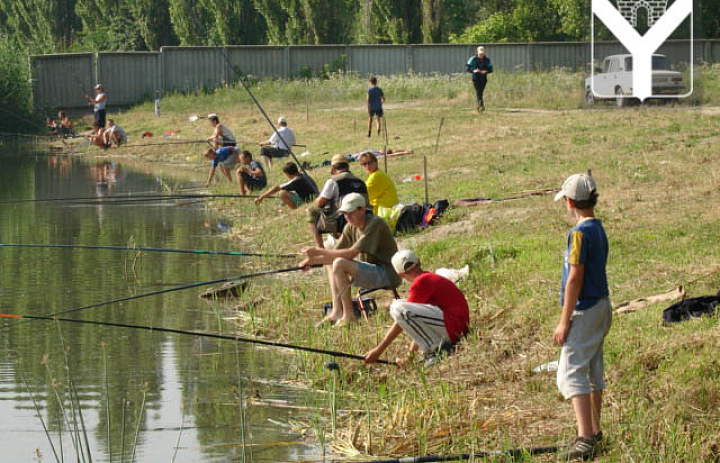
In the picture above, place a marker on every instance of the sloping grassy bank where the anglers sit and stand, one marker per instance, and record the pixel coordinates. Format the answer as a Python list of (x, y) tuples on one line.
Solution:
[(658, 175)]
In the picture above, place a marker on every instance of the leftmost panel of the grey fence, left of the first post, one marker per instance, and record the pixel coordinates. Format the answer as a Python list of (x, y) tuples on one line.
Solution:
[(59, 81)]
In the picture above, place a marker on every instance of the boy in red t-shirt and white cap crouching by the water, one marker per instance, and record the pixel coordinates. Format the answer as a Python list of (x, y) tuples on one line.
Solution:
[(435, 314)]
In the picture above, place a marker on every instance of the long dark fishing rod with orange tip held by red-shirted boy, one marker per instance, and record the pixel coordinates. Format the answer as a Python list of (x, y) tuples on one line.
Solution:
[(198, 333)]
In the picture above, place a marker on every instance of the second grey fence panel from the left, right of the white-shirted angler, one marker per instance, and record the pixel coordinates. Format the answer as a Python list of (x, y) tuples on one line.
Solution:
[(132, 76)]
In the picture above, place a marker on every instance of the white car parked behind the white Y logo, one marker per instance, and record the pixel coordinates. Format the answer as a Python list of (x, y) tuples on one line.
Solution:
[(614, 80)]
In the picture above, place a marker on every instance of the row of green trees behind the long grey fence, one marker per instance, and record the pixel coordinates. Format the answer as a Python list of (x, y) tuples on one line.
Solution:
[(54, 26)]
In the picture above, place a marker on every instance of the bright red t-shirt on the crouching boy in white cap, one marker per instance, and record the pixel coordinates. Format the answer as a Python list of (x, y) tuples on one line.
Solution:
[(429, 288)]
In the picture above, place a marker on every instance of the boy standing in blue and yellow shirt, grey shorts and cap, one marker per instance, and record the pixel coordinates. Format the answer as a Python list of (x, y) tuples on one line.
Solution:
[(586, 316)]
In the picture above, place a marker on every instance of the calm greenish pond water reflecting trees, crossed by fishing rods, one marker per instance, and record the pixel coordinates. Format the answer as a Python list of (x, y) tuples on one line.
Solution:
[(158, 394)]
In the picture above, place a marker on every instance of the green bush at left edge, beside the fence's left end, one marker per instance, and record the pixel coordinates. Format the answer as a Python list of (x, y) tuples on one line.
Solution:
[(15, 91)]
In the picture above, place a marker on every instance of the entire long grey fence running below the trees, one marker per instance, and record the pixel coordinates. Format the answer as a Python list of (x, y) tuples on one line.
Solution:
[(60, 80)]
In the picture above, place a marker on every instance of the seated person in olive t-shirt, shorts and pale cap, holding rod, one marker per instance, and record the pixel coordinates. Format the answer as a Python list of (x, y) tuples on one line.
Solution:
[(367, 237)]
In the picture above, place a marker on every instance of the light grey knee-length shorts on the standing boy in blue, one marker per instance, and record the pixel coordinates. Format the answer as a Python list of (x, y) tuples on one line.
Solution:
[(580, 369)]
